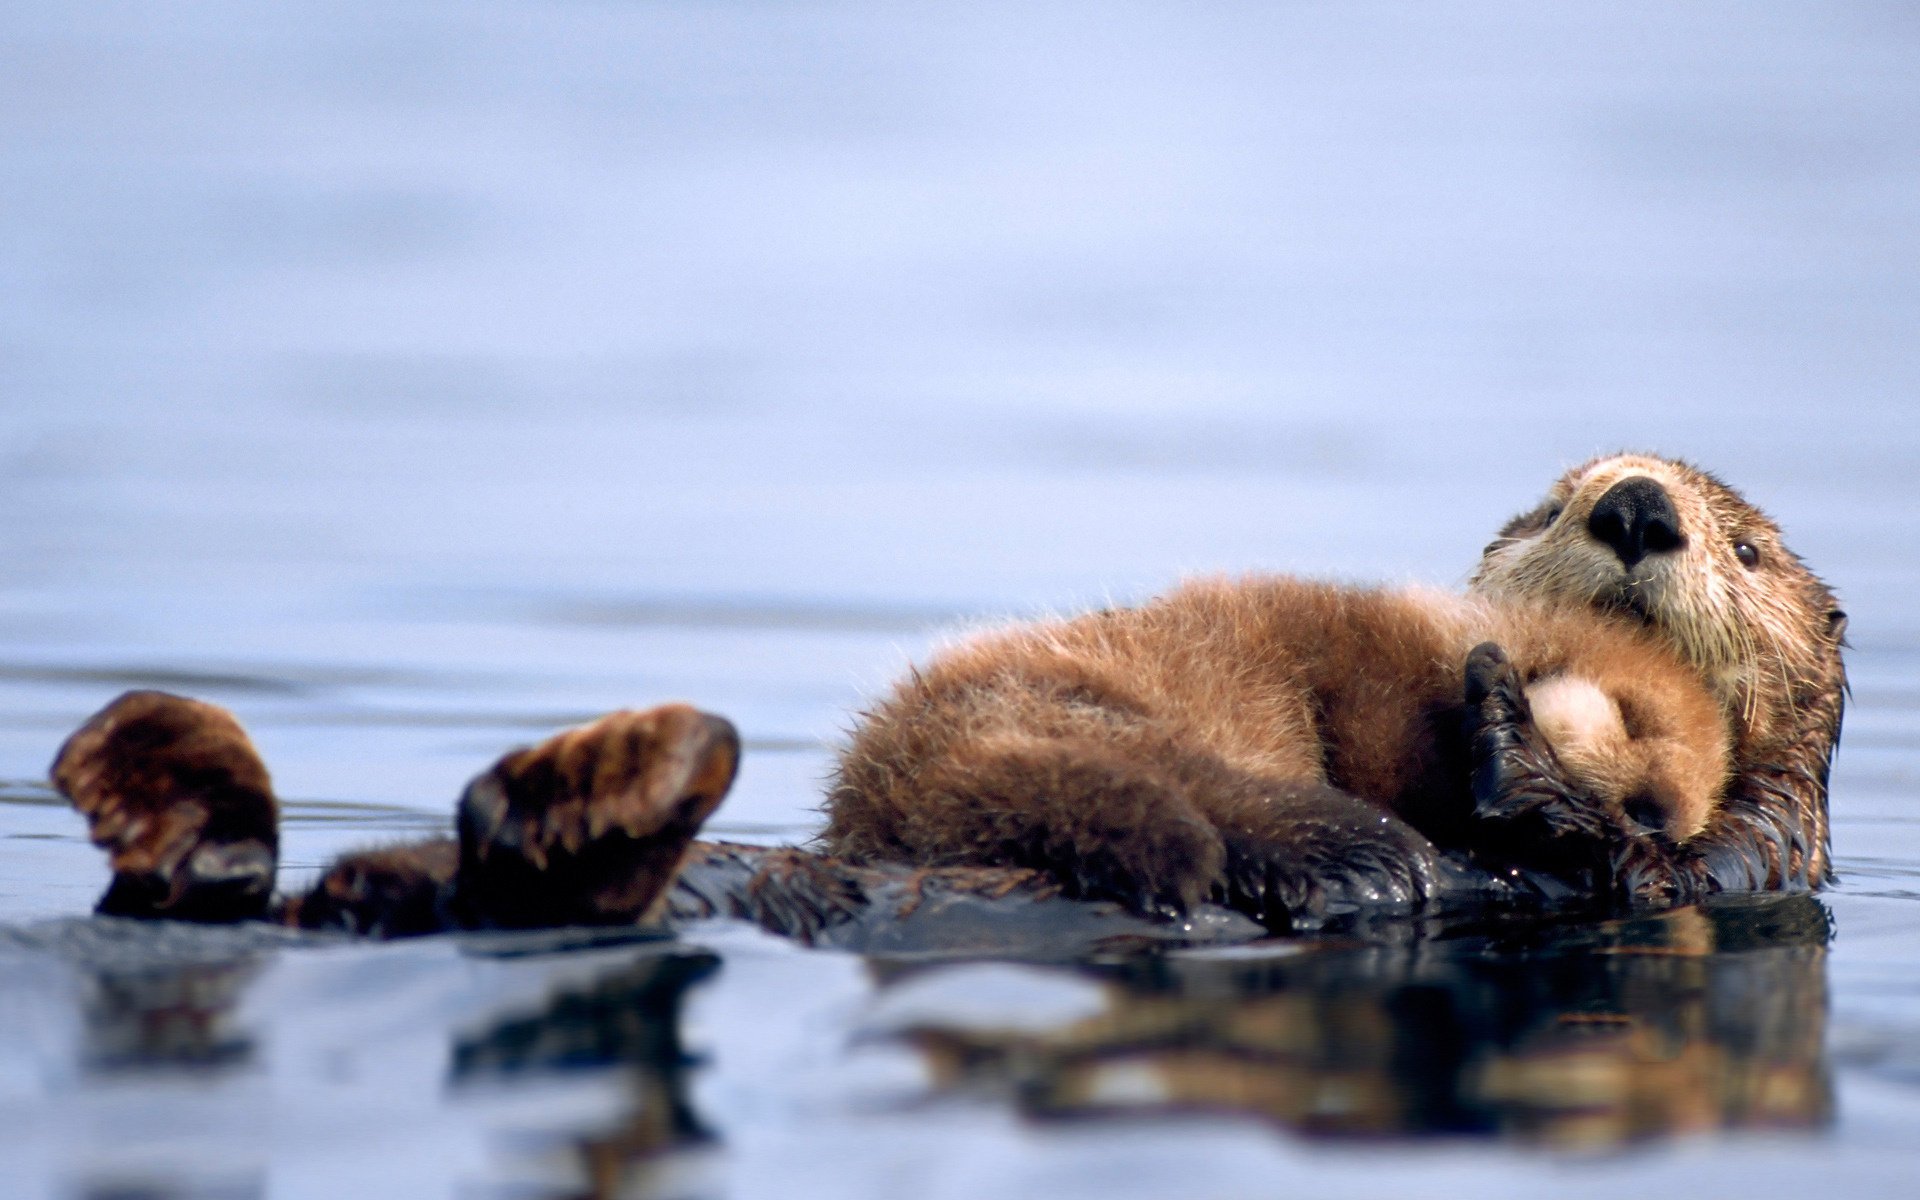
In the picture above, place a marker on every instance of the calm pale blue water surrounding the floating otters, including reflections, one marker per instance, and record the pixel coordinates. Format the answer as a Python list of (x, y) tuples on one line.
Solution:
[(418, 379)]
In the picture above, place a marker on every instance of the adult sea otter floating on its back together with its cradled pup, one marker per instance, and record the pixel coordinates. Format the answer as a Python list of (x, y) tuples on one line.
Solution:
[(1506, 759)]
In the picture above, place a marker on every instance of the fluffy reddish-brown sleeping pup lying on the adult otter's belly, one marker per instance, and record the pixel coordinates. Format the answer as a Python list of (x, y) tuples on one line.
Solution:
[(1153, 756)]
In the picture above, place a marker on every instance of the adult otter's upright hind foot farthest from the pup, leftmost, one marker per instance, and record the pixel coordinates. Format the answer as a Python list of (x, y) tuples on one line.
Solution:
[(178, 796)]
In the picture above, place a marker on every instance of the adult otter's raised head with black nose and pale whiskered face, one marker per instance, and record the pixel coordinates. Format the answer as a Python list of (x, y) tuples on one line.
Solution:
[(1679, 552)]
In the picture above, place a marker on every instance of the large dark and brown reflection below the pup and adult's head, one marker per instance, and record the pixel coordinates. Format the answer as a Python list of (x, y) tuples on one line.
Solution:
[(1577, 1036)]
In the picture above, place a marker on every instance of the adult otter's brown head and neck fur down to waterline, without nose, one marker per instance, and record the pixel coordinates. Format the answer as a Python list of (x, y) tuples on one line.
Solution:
[(1765, 636)]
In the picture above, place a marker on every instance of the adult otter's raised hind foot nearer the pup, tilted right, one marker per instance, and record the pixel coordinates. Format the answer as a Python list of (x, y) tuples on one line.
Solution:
[(590, 825)]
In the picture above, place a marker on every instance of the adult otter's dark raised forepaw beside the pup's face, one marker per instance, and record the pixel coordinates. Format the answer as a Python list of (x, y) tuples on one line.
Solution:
[(1518, 782)]
